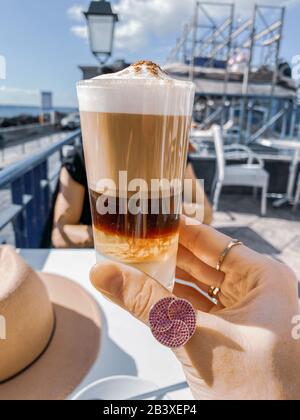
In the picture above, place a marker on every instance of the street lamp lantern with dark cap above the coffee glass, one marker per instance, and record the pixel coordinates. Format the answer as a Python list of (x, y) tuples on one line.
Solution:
[(101, 25)]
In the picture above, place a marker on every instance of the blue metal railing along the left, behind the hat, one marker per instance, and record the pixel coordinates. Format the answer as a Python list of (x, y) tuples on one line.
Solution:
[(29, 183)]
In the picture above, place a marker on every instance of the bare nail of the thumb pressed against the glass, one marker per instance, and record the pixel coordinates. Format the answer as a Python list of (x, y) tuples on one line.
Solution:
[(107, 278)]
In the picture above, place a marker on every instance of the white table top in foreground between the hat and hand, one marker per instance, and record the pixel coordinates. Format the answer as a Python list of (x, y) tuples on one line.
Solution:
[(127, 346)]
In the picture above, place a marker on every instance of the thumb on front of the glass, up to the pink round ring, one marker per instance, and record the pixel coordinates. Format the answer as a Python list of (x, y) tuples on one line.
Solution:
[(128, 288)]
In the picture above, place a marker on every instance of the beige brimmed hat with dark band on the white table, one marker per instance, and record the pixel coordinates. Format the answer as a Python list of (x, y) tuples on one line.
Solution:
[(49, 332)]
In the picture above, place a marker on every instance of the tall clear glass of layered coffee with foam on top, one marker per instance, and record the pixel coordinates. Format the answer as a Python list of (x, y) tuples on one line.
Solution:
[(135, 127)]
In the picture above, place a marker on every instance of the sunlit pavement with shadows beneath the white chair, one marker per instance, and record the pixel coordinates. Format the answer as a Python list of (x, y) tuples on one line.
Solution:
[(277, 235)]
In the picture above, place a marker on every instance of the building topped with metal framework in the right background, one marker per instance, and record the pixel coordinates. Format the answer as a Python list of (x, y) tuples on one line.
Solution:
[(236, 66)]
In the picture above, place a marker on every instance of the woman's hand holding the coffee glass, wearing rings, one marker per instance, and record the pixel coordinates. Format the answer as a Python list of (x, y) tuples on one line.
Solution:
[(243, 348)]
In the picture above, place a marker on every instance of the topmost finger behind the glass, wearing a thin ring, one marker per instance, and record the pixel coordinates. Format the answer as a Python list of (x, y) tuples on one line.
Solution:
[(208, 244)]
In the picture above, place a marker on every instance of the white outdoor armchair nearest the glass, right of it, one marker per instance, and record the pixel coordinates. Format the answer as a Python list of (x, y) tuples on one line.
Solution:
[(248, 175)]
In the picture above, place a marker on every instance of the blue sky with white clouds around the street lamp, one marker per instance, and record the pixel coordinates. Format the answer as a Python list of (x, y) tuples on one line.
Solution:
[(43, 42)]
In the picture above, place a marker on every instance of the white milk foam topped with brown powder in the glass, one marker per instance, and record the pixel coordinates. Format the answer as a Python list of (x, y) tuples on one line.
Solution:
[(142, 88)]
